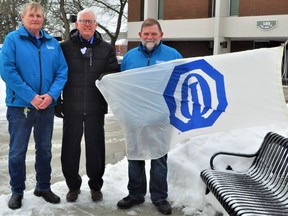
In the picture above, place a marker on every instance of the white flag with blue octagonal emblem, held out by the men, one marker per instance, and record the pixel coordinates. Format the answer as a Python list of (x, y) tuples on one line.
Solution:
[(164, 104)]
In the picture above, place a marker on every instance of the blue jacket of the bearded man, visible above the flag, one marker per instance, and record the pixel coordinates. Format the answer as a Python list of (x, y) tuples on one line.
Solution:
[(137, 57)]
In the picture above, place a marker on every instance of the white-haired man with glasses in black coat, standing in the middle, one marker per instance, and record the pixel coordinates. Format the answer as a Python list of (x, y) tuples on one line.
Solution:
[(84, 107)]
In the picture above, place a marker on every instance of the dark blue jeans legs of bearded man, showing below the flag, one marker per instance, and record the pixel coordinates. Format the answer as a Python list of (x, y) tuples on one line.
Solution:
[(137, 185)]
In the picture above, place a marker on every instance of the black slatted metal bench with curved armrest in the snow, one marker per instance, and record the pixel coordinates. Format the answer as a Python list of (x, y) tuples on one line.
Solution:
[(262, 189)]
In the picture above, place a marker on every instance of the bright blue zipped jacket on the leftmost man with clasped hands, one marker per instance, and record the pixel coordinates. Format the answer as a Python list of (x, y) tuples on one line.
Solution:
[(29, 69)]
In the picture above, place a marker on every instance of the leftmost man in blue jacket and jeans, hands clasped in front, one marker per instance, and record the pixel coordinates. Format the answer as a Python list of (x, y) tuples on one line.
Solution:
[(35, 72)]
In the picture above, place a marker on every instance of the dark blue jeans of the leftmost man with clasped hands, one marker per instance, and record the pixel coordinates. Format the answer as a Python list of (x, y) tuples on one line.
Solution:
[(20, 127)]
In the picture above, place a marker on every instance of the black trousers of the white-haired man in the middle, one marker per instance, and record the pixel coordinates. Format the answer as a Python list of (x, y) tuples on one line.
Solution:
[(93, 128)]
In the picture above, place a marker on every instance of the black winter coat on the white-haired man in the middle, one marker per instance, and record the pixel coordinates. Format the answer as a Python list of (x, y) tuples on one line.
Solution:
[(80, 94)]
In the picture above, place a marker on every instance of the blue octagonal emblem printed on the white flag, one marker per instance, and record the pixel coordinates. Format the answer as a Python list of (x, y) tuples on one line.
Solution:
[(195, 95)]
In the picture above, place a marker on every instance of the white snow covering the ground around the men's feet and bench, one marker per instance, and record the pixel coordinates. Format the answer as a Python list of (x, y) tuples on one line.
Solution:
[(186, 189)]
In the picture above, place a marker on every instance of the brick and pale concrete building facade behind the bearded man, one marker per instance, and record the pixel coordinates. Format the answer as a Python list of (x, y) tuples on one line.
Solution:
[(211, 27)]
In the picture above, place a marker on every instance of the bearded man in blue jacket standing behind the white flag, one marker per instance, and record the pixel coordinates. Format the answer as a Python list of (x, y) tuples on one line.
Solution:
[(151, 51)]
